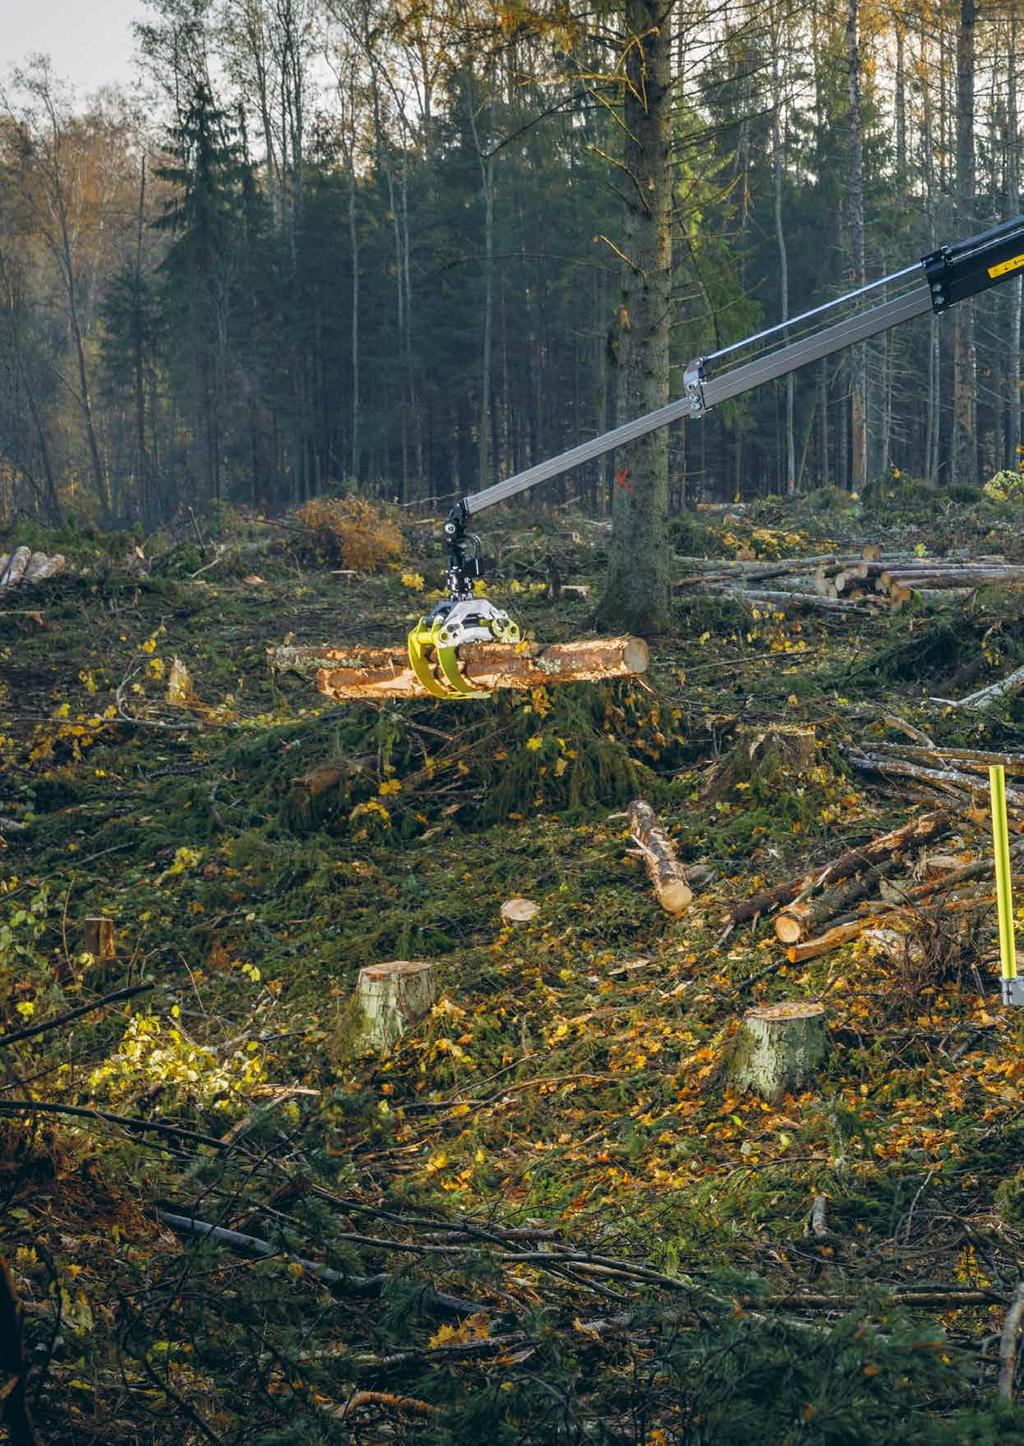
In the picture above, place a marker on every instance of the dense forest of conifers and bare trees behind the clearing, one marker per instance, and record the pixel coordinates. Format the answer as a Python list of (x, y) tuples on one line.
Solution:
[(352, 244)]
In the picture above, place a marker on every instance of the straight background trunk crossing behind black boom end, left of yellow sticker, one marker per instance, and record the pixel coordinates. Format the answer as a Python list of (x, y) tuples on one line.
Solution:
[(965, 359)]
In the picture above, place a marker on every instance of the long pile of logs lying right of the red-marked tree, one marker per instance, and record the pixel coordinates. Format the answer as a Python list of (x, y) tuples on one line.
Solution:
[(838, 582)]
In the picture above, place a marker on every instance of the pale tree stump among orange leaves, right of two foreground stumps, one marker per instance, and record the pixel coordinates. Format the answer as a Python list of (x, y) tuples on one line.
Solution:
[(779, 1049)]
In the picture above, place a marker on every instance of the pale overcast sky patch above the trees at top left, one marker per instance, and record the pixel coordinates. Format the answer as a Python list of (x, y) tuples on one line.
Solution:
[(89, 41)]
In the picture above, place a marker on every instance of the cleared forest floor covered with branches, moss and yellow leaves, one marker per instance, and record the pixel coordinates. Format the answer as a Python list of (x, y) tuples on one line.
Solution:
[(546, 1214)]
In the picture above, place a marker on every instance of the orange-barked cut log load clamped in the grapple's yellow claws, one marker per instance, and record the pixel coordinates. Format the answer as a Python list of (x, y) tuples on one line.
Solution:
[(385, 673)]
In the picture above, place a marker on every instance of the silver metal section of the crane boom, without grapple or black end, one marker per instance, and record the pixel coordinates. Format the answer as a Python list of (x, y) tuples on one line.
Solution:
[(705, 393)]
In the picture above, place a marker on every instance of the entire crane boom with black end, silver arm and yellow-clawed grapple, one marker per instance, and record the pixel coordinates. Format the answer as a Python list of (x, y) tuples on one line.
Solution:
[(935, 284)]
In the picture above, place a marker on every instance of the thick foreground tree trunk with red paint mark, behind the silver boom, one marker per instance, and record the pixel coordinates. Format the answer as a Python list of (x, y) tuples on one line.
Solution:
[(637, 592)]
